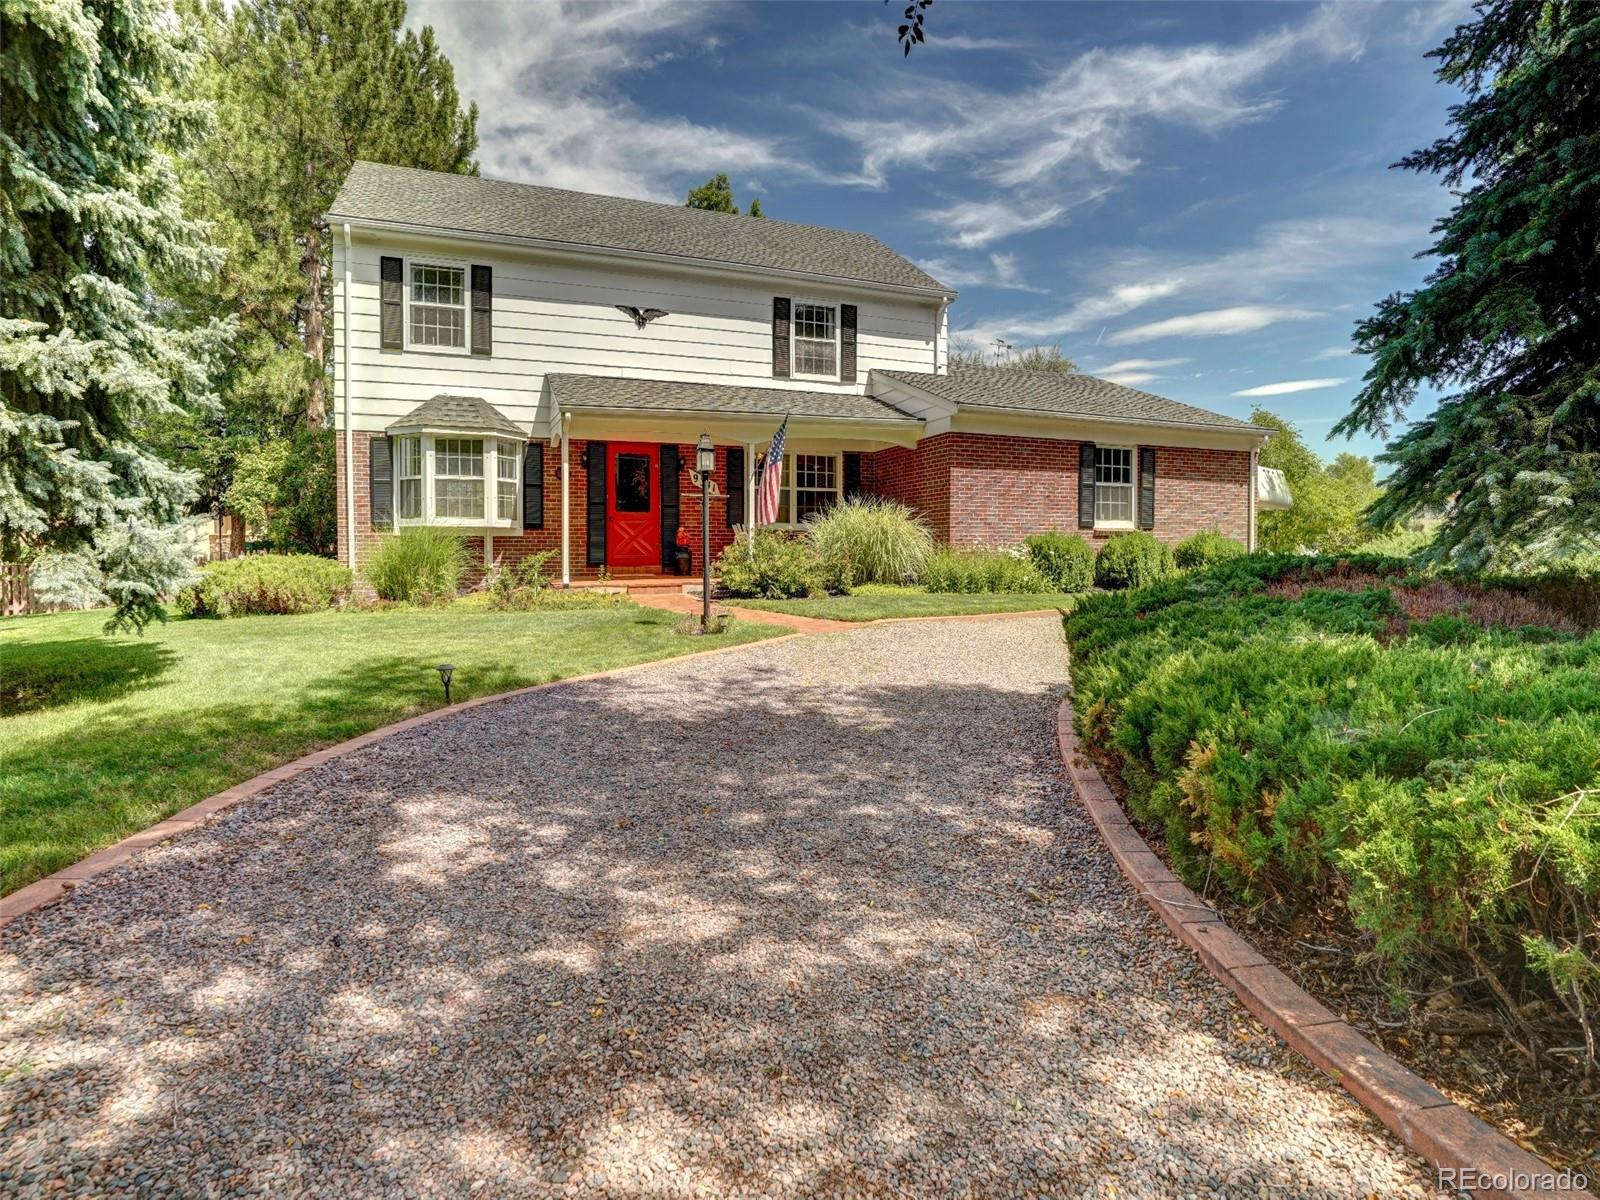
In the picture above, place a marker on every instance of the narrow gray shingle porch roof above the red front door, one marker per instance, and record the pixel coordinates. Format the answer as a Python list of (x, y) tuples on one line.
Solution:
[(601, 391)]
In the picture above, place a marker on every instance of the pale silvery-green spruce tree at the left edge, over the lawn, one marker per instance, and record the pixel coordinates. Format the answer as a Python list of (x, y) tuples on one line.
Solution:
[(90, 225)]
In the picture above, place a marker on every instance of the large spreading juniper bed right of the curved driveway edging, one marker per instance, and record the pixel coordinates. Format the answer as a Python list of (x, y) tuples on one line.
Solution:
[(1318, 732)]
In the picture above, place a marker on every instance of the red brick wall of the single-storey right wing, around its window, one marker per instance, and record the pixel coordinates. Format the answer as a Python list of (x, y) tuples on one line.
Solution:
[(993, 490)]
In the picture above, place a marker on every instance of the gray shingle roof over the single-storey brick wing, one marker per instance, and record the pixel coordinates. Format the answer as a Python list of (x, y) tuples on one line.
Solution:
[(1050, 393)]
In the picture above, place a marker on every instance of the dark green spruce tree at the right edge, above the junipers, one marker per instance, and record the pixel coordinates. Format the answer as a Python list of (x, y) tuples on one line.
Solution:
[(1510, 321)]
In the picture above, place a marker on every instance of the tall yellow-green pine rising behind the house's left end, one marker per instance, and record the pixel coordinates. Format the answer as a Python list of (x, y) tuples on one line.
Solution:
[(302, 90)]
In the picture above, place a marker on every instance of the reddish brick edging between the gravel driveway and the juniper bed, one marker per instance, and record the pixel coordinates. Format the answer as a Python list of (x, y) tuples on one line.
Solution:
[(1418, 1114)]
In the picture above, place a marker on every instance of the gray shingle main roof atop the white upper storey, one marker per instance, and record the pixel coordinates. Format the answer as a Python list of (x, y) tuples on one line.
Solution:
[(468, 204)]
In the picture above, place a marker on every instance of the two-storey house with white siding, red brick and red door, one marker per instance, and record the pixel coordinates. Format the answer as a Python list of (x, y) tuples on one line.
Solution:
[(535, 369)]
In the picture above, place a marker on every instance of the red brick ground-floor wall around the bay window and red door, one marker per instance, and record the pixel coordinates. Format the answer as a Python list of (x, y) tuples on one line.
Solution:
[(513, 546)]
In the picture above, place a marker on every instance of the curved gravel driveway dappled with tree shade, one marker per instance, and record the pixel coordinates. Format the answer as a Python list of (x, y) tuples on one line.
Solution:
[(806, 919)]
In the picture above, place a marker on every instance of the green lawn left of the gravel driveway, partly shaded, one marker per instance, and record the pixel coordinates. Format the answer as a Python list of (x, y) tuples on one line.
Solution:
[(108, 735)]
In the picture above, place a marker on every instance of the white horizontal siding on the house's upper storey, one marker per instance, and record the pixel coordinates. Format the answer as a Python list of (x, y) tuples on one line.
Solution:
[(556, 313)]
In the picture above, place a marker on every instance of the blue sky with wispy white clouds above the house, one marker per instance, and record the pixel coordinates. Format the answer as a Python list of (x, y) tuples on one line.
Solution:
[(1191, 199)]
